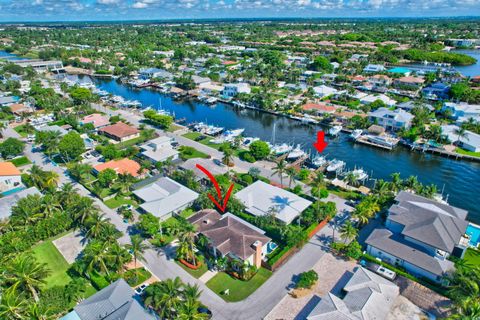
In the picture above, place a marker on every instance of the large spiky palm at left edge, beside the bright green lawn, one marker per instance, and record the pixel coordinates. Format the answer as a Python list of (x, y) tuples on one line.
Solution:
[(25, 273)]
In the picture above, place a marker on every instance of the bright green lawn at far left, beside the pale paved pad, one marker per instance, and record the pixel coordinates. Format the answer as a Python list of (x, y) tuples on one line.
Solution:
[(47, 253)]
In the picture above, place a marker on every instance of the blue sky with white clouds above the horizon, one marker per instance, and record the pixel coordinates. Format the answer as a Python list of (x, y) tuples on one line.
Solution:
[(93, 10)]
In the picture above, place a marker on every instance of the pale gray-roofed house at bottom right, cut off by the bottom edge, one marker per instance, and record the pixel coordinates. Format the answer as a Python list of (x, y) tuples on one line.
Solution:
[(368, 296)]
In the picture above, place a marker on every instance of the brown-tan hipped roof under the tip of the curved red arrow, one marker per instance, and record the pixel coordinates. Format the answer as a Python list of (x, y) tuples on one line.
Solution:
[(228, 233)]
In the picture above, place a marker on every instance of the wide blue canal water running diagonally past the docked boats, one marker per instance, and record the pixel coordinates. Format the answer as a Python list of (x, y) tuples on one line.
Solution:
[(460, 180)]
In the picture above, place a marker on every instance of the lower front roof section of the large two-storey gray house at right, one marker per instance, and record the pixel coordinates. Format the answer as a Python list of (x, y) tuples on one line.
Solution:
[(386, 241)]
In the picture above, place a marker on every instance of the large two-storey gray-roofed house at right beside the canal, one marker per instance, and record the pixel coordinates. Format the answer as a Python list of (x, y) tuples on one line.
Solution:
[(419, 235)]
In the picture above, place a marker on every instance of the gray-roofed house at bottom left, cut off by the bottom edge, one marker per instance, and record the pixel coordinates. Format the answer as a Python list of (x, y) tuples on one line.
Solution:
[(116, 301)]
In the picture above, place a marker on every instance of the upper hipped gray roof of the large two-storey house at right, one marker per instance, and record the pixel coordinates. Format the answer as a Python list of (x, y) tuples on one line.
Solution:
[(433, 223)]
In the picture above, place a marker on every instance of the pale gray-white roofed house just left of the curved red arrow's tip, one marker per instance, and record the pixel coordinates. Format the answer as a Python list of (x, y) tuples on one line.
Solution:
[(163, 197)]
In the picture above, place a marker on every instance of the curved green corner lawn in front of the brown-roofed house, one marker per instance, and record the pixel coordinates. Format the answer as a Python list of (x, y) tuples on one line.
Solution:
[(239, 289)]
